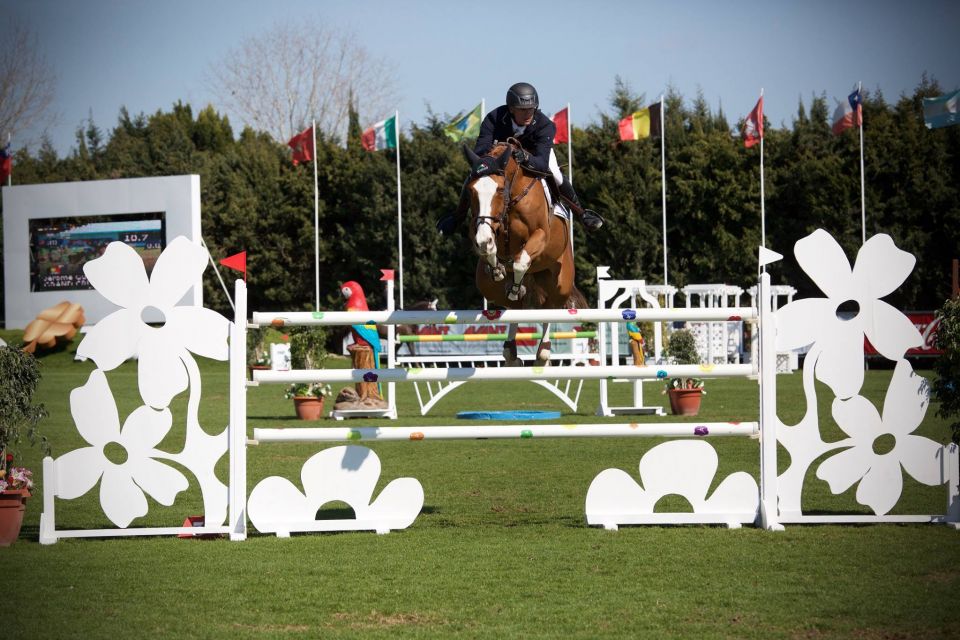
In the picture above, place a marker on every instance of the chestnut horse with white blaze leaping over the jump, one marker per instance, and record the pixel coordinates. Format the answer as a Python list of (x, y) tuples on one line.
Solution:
[(513, 231)]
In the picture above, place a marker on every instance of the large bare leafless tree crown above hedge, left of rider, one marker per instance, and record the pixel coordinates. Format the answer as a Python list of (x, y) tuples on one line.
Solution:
[(279, 81)]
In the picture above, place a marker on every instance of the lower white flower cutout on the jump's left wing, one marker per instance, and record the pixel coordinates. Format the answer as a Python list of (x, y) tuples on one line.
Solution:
[(122, 483)]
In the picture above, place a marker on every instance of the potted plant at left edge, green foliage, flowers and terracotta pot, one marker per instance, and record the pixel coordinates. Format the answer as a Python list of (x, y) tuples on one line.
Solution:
[(19, 418)]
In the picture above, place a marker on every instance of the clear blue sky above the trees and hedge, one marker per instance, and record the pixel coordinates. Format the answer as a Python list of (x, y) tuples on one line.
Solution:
[(147, 54)]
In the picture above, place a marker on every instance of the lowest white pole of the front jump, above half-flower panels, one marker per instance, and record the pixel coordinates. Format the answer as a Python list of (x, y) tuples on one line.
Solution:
[(502, 432)]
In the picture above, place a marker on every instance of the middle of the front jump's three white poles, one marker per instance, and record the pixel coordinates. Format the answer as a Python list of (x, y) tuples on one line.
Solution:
[(504, 373)]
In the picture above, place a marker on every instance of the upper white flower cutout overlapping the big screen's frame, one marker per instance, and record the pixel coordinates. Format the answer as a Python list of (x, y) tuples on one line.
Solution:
[(119, 276)]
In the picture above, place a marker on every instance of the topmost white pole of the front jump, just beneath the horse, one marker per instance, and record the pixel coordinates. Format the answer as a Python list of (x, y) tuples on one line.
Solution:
[(336, 318)]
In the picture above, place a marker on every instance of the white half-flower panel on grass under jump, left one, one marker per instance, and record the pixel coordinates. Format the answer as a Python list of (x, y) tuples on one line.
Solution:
[(348, 474)]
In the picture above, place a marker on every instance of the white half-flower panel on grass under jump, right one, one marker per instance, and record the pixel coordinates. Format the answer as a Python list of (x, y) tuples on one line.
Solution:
[(682, 467)]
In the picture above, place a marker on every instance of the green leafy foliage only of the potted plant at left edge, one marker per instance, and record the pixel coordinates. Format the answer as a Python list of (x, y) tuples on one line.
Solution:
[(19, 417)]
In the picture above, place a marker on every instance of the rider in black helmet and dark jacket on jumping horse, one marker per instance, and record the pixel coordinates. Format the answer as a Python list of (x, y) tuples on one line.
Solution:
[(522, 119)]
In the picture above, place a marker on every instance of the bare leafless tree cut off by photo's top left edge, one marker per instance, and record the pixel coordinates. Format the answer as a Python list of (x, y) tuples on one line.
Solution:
[(26, 82)]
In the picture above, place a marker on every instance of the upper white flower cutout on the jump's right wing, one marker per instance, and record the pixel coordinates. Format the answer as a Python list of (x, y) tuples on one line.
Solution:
[(880, 268)]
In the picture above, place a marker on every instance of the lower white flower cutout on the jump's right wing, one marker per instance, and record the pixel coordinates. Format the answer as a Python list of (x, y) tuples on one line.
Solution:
[(879, 473)]
